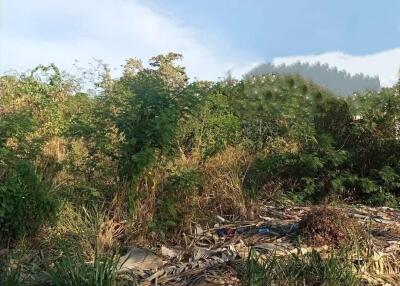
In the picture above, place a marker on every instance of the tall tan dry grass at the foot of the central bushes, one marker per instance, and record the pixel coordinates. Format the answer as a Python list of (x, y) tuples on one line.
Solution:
[(222, 193)]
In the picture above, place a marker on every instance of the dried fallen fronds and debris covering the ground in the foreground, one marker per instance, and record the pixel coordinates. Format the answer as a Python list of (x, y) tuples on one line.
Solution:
[(213, 253)]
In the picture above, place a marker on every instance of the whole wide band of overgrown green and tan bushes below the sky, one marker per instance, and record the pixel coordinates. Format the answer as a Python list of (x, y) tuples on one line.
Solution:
[(160, 152)]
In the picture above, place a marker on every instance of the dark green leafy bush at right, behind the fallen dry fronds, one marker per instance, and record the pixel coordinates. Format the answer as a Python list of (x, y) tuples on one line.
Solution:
[(347, 158)]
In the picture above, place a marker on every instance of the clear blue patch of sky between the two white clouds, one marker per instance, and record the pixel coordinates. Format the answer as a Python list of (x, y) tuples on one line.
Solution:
[(292, 27)]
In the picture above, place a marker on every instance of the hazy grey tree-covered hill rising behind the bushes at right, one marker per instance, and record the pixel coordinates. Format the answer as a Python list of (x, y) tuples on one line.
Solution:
[(338, 81)]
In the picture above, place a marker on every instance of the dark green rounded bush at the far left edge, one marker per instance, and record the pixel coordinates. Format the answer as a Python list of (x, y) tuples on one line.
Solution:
[(25, 202)]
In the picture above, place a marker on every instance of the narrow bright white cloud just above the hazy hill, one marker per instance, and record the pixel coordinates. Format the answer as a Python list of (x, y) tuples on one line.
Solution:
[(384, 64)]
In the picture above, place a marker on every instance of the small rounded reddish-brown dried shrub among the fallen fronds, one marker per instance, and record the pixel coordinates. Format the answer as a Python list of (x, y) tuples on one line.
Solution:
[(329, 226)]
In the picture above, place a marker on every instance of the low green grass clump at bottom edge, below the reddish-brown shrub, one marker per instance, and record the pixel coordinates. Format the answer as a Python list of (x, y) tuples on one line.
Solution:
[(303, 269)]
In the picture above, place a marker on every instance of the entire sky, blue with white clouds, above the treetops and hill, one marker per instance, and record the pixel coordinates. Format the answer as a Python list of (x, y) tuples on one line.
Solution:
[(214, 36)]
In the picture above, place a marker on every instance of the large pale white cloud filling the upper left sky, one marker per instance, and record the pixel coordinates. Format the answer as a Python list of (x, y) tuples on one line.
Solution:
[(37, 32)]
